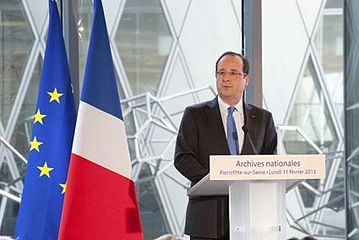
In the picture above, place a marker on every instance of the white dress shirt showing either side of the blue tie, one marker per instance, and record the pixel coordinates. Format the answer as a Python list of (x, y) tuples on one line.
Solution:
[(238, 118)]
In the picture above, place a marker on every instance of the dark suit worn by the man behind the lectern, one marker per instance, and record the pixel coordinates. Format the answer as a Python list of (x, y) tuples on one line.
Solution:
[(202, 134)]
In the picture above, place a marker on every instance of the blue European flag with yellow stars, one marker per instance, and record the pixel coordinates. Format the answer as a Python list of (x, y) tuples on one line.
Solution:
[(50, 145)]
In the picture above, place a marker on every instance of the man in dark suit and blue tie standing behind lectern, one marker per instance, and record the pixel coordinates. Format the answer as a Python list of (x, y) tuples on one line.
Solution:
[(203, 132)]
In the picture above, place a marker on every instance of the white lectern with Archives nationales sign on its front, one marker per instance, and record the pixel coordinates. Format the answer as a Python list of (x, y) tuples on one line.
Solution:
[(256, 185)]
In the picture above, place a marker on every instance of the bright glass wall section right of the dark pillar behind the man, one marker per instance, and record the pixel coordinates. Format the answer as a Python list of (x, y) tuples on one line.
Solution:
[(303, 87)]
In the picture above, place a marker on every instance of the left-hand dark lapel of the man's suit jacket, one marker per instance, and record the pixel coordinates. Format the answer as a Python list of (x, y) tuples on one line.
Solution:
[(215, 120)]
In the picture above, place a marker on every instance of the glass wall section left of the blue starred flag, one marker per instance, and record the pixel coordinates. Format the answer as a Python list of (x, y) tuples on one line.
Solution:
[(20, 65)]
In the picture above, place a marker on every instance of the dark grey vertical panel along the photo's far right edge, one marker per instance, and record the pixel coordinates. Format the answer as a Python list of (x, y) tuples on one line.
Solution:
[(351, 95)]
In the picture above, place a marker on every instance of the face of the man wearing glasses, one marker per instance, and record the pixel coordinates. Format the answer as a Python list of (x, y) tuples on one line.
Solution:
[(231, 80)]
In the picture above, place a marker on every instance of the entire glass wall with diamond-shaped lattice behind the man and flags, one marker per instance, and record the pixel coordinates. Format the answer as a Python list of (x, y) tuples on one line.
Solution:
[(164, 54)]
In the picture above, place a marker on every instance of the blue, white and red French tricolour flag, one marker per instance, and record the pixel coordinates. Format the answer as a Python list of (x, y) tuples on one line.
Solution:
[(100, 199)]
